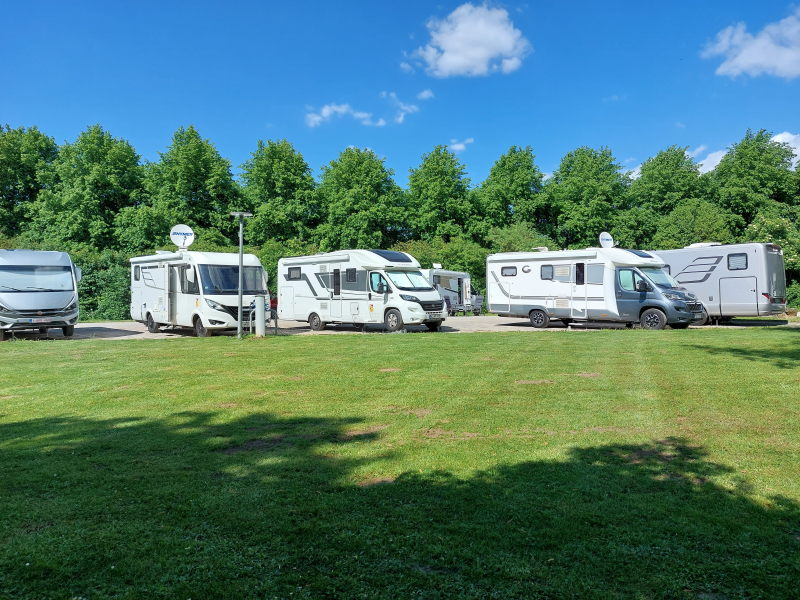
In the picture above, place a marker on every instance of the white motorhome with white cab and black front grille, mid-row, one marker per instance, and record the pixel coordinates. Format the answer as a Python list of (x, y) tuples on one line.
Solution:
[(358, 287)]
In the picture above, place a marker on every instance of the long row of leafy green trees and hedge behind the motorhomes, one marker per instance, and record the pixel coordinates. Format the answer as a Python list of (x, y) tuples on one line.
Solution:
[(96, 198)]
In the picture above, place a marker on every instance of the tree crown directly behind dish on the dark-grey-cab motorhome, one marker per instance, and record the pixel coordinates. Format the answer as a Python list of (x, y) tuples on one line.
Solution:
[(588, 188)]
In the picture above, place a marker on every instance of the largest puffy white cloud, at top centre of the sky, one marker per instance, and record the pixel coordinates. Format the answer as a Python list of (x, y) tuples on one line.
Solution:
[(473, 41)]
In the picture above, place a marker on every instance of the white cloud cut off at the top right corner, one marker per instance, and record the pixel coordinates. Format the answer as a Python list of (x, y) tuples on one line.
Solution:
[(775, 50)]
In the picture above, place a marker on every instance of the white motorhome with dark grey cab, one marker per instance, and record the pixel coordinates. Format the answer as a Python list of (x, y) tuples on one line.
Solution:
[(595, 284)]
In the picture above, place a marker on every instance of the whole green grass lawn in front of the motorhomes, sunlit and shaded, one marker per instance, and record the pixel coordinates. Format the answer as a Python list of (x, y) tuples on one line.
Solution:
[(600, 464)]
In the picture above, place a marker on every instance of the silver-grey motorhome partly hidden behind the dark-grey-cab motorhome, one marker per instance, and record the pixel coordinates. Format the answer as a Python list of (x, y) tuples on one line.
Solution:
[(732, 280)]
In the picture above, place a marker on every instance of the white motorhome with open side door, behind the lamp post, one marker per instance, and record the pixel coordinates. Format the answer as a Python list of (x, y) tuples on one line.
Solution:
[(194, 289)]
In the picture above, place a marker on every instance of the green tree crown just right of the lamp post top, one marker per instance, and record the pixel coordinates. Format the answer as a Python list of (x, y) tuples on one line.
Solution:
[(278, 184)]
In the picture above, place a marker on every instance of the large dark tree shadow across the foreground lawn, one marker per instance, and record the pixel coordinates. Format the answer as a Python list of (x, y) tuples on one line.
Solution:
[(194, 506)]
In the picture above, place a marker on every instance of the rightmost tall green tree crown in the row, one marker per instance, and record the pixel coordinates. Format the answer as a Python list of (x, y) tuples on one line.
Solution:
[(753, 172)]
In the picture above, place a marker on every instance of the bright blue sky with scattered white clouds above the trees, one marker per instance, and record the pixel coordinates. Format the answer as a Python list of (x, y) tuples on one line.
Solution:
[(635, 76)]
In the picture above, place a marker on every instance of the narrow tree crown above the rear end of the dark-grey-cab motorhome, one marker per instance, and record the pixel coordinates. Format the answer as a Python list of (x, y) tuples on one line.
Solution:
[(511, 191)]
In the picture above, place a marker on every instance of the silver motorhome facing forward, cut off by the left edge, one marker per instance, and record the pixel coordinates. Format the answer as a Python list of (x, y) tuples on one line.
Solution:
[(38, 290)]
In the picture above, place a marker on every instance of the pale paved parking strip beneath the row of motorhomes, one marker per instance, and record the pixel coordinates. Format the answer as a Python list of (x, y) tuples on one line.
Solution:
[(130, 330)]
